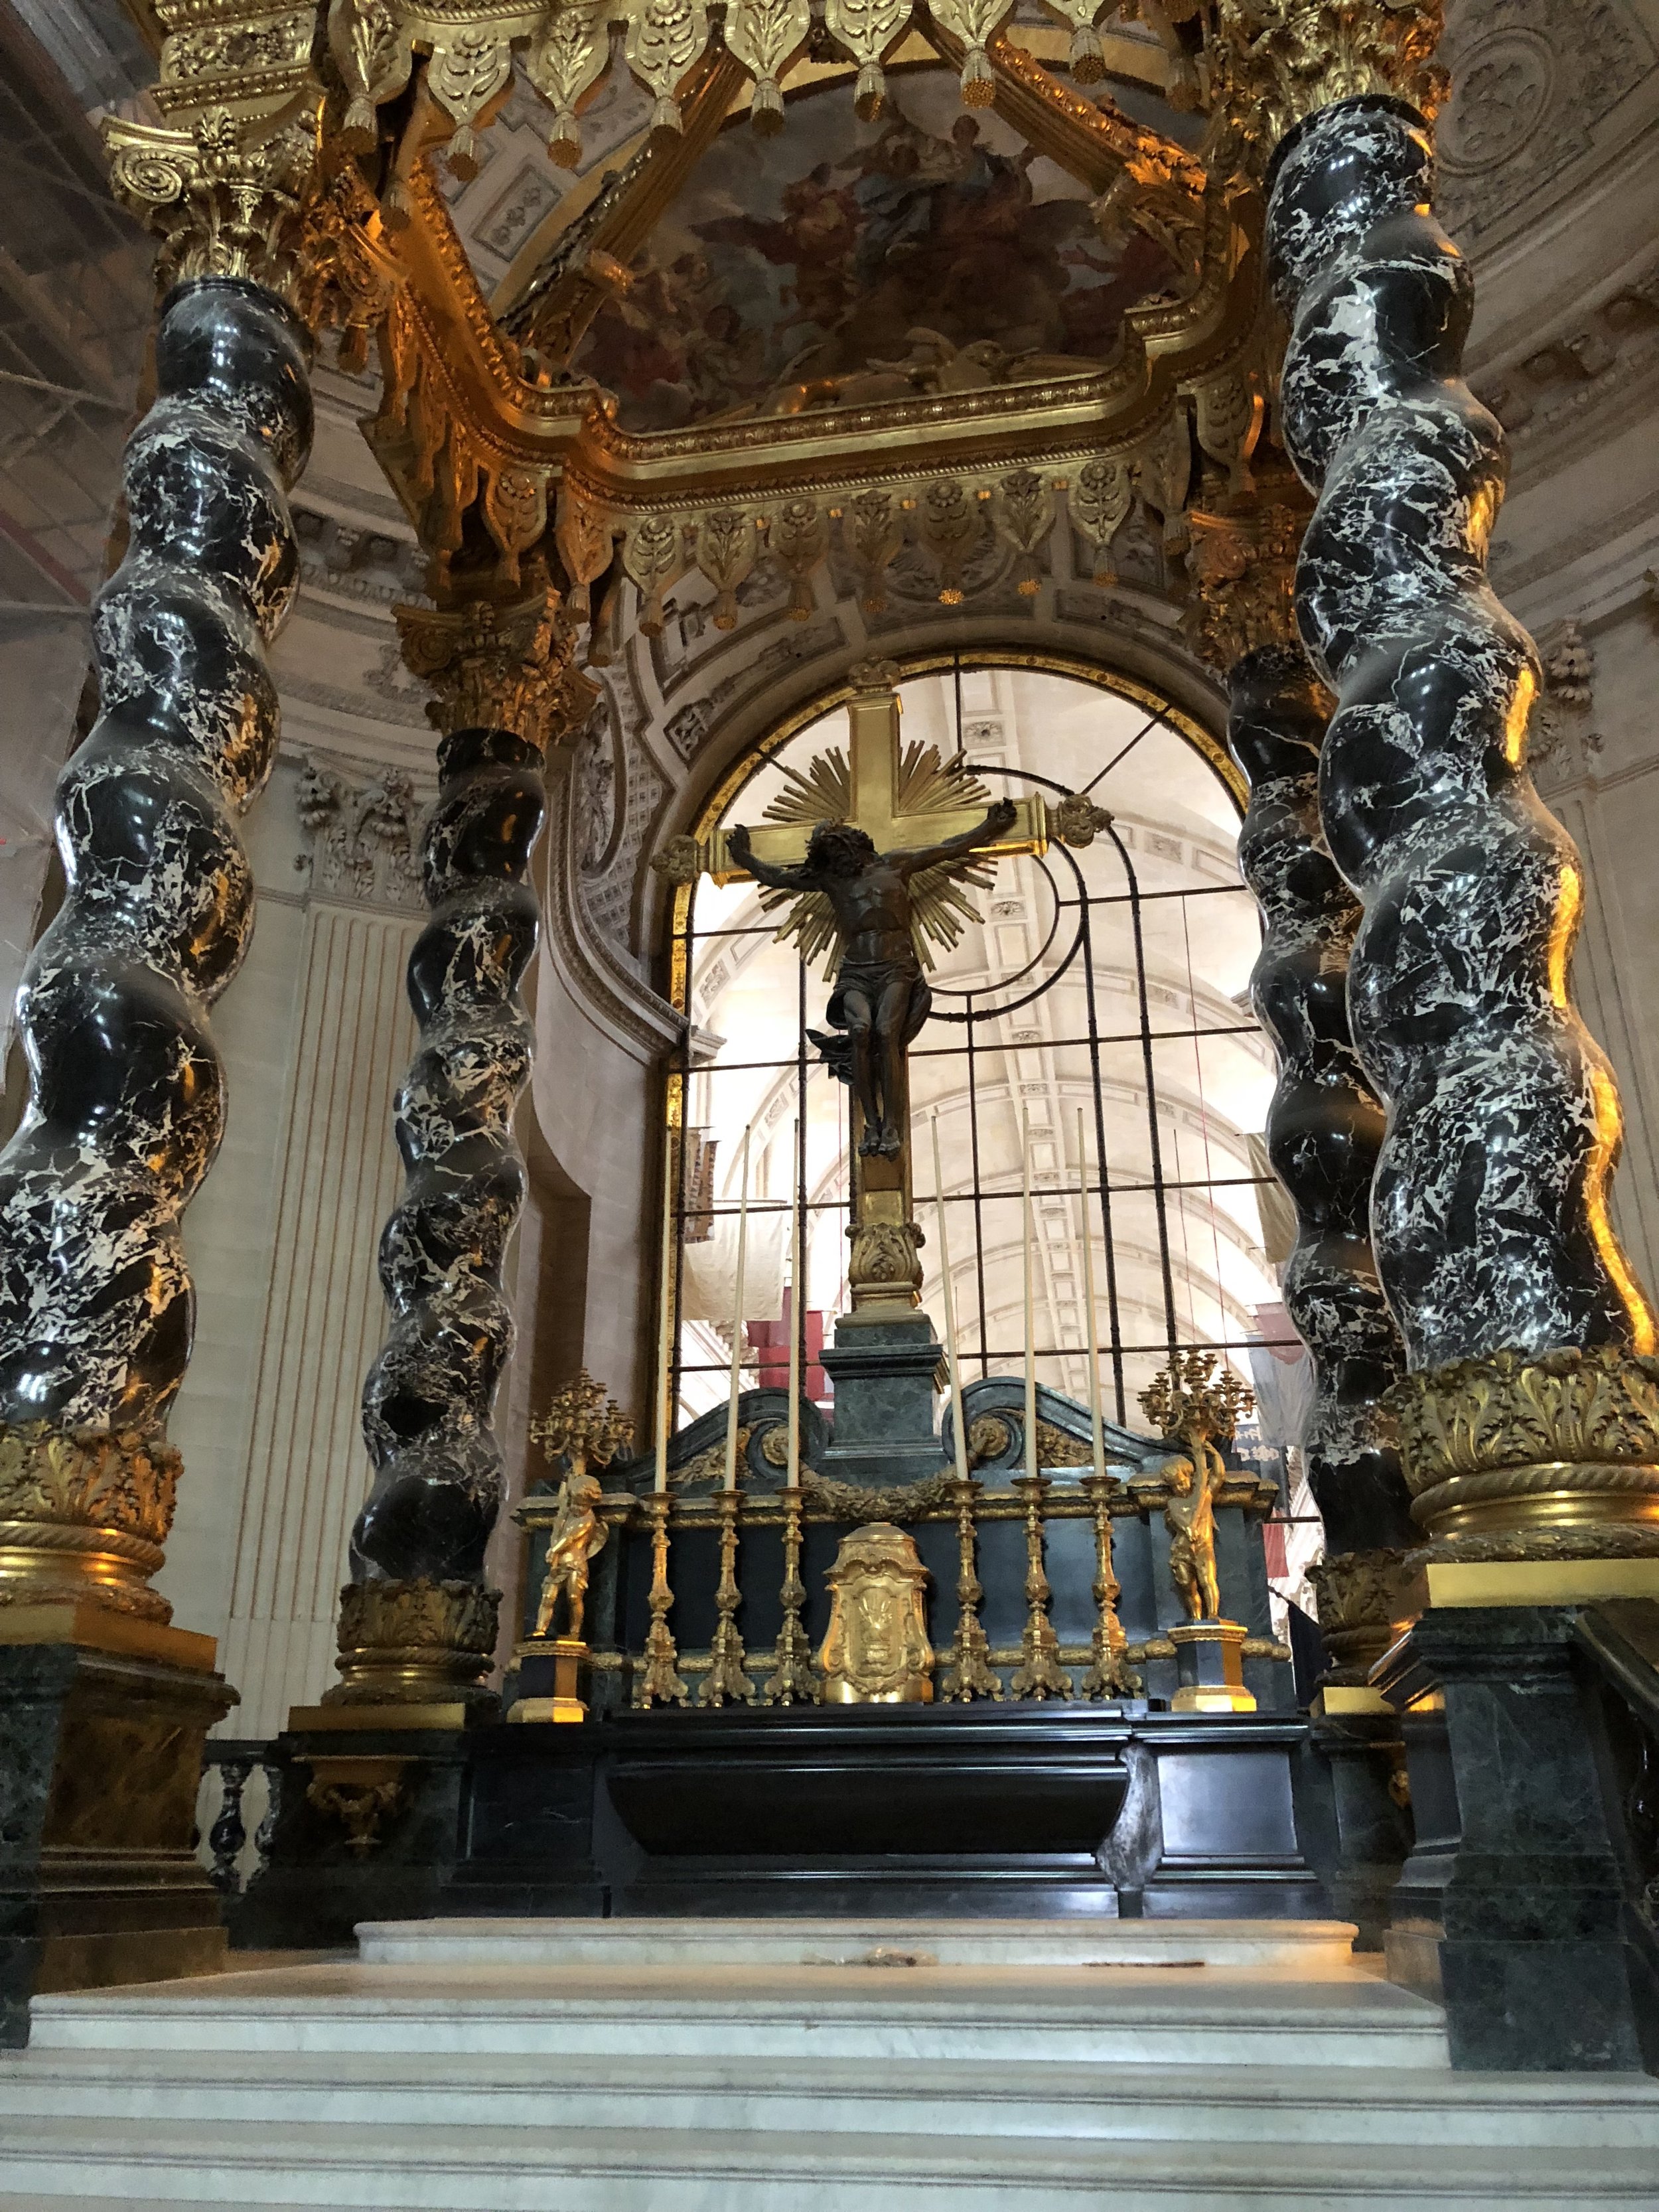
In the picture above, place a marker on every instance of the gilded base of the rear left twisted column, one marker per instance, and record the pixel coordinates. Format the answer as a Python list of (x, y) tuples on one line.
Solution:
[(415, 1645)]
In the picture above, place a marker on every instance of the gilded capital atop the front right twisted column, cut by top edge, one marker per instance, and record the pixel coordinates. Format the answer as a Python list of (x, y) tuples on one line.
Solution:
[(1277, 61)]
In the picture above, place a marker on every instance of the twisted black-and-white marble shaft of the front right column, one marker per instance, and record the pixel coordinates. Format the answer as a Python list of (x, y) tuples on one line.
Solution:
[(1490, 1204)]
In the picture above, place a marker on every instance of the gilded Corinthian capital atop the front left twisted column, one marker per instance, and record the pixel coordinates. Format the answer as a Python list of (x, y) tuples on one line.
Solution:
[(222, 198)]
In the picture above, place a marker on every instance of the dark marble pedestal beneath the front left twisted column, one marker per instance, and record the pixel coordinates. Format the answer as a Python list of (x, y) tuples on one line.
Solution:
[(101, 1760)]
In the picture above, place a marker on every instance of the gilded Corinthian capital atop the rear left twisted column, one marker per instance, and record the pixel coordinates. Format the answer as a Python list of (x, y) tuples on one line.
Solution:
[(501, 667)]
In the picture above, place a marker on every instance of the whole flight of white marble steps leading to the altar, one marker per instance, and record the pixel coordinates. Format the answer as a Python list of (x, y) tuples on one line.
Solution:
[(802, 2067)]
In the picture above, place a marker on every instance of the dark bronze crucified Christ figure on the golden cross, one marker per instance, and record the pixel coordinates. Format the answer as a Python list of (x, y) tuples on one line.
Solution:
[(881, 997)]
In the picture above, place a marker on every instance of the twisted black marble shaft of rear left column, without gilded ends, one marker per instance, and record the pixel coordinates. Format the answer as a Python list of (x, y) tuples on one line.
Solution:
[(428, 1399)]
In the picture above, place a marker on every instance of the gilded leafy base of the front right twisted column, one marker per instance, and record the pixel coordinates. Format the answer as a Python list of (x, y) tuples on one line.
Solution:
[(1534, 1459)]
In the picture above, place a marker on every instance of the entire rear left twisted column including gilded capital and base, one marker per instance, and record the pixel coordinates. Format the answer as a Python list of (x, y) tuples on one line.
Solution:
[(503, 682)]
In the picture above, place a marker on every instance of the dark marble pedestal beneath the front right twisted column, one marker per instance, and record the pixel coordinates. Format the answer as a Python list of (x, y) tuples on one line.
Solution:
[(1514, 1908)]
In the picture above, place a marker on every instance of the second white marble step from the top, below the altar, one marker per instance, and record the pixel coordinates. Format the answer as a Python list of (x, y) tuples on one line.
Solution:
[(1138, 2016)]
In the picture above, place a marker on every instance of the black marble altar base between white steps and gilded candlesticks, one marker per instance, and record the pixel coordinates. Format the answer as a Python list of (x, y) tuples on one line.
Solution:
[(952, 1811)]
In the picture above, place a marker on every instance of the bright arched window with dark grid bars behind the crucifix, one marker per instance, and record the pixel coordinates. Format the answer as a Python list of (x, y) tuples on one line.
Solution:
[(1107, 983)]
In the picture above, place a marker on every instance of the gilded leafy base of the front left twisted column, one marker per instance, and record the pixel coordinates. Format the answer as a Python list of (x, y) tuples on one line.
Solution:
[(83, 1521)]
